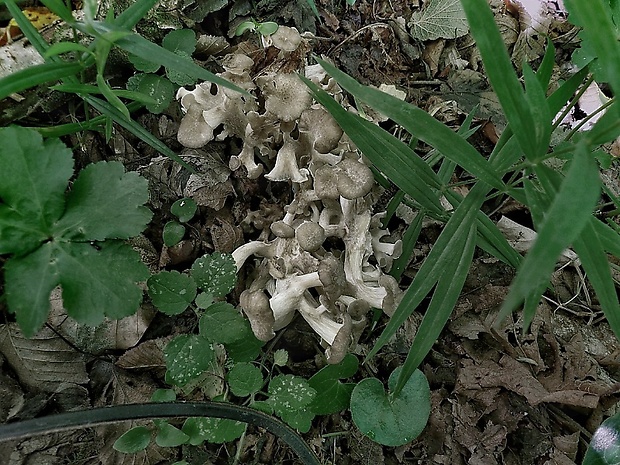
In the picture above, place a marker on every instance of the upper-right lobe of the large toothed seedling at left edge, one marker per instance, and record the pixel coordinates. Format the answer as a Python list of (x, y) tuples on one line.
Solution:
[(105, 202)]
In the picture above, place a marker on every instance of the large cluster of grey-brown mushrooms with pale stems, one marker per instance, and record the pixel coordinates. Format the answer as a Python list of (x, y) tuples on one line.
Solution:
[(325, 258)]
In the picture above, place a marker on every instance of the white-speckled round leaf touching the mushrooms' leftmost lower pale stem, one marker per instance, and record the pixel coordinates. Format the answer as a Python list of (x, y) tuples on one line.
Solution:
[(215, 273)]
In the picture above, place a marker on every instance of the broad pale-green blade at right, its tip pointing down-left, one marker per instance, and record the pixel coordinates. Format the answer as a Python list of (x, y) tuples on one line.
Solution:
[(567, 216)]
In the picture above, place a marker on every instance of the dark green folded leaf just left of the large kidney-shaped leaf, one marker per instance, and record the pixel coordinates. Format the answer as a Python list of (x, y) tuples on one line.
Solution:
[(332, 395)]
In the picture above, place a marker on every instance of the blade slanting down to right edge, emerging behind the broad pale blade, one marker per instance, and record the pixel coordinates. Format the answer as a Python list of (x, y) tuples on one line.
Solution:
[(595, 263)]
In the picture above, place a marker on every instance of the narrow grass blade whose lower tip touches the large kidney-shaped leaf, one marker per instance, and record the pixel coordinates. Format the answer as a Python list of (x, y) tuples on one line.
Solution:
[(440, 308)]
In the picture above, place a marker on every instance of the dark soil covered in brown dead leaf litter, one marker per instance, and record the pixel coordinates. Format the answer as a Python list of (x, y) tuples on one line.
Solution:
[(500, 395)]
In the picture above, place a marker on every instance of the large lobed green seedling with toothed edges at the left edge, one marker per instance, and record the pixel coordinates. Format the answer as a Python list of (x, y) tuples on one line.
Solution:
[(72, 238)]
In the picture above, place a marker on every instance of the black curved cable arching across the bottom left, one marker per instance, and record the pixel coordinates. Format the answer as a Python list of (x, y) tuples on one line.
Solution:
[(113, 414)]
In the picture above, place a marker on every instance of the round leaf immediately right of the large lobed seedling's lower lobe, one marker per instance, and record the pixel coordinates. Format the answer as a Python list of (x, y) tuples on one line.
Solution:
[(171, 291)]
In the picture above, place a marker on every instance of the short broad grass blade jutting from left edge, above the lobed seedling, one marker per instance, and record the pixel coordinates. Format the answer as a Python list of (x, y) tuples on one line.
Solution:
[(35, 75)]
